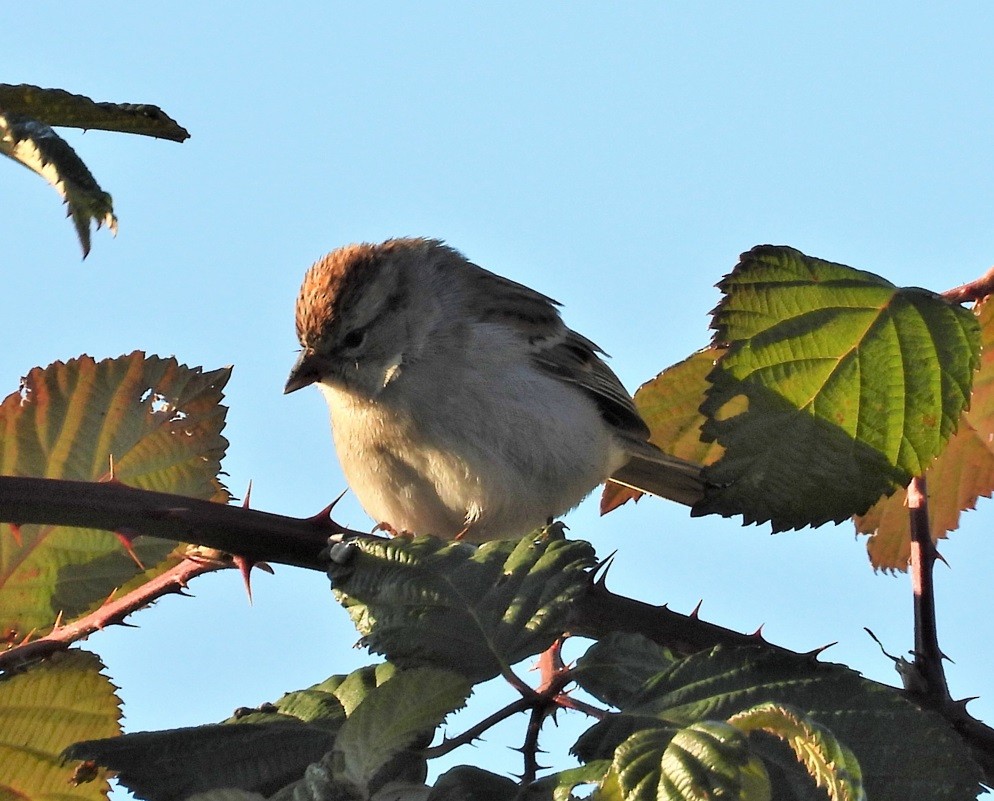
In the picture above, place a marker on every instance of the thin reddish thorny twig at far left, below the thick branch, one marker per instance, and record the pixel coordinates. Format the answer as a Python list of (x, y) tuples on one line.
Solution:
[(112, 612)]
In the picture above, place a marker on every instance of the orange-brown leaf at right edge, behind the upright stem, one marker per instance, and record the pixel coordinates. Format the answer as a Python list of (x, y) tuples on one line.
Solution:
[(962, 473)]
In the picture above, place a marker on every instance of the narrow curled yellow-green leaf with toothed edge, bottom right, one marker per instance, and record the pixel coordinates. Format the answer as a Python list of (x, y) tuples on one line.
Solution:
[(827, 760)]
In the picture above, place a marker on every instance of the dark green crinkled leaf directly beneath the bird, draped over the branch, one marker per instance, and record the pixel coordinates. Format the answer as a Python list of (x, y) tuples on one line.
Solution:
[(475, 611)]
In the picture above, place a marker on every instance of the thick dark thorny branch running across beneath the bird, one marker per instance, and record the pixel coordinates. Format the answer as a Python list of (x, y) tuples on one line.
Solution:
[(261, 536)]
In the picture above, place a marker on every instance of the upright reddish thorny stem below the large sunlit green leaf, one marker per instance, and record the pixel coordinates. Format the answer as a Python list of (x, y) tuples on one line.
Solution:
[(928, 656)]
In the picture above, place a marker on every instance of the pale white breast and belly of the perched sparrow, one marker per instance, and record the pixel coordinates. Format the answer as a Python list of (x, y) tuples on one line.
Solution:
[(491, 449)]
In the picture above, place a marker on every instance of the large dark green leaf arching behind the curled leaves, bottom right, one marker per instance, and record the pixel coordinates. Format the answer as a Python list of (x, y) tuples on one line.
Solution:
[(905, 752)]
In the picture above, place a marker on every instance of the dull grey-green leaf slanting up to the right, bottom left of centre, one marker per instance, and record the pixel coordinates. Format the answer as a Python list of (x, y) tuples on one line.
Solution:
[(412, 703)]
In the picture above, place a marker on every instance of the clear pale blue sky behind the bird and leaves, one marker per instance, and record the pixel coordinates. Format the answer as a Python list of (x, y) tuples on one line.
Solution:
[(616, 157)]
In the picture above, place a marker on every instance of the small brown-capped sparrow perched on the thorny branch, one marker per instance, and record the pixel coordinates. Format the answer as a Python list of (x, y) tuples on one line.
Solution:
[(461, 404)]
